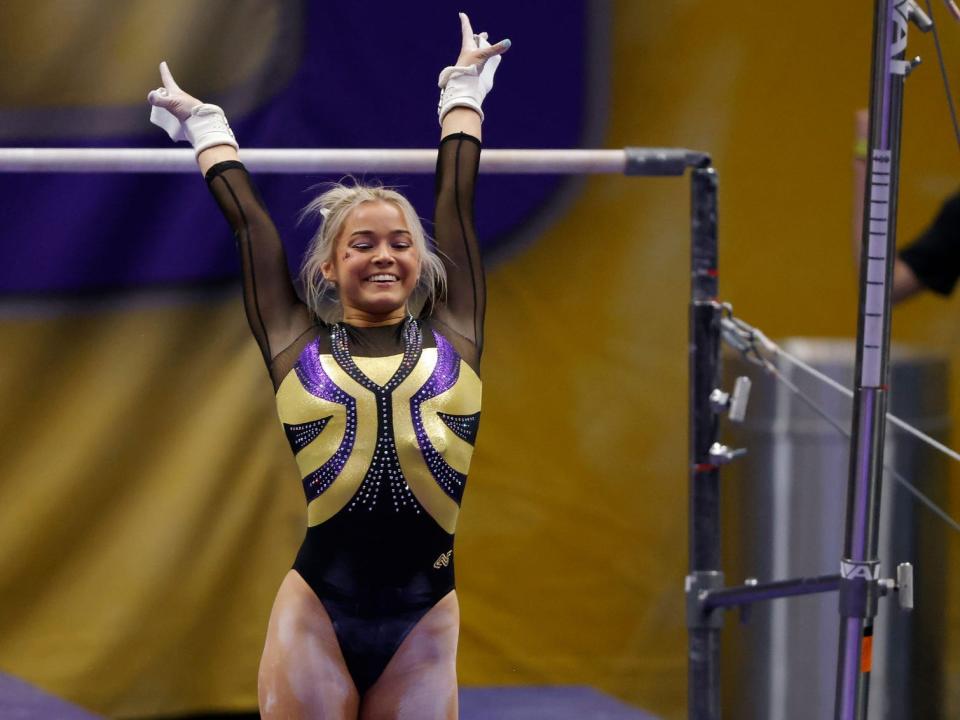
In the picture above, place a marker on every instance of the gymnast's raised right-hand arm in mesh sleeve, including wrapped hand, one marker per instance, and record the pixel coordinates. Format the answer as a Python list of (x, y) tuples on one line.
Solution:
[(463, 88)]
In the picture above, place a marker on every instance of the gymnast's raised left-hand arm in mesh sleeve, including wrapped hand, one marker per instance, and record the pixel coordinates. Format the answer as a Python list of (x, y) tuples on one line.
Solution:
[(276, 315)]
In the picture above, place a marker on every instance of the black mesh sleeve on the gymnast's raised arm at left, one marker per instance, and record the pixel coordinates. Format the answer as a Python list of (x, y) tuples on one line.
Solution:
[(276, 315)]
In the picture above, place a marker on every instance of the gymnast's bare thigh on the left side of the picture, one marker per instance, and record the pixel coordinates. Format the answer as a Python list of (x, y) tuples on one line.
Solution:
[(302, 671)]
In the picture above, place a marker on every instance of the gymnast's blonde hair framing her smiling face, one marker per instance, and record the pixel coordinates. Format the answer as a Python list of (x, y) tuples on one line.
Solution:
[(333, 207)]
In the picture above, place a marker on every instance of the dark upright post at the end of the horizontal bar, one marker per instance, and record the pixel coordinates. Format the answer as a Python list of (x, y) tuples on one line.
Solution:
[(703, 626)]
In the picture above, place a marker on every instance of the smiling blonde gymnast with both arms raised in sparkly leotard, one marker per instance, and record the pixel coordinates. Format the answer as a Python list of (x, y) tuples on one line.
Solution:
[(380, 402)]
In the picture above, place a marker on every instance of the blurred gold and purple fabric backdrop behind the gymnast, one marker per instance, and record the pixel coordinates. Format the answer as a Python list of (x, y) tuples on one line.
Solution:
[(149, 505)]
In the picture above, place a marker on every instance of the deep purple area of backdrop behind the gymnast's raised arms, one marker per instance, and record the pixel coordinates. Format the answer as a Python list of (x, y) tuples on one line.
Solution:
[(356, 83)]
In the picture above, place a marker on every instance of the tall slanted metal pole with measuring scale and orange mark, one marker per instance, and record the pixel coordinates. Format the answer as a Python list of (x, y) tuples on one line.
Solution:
[(860, 567)]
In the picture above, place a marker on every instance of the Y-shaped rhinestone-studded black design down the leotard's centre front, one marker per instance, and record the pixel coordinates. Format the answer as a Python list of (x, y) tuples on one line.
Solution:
[(384, 465)]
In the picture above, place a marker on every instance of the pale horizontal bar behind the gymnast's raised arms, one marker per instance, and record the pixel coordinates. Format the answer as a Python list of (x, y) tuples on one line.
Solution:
[(630, 161)]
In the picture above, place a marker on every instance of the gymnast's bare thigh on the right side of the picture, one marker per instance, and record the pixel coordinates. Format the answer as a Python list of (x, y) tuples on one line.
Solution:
[(420, 681)]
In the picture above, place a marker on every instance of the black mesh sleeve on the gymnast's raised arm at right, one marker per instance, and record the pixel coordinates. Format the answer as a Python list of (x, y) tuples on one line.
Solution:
[(463, 308)]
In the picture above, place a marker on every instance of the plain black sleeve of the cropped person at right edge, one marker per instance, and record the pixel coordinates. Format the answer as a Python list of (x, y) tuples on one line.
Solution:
[(934, 257)]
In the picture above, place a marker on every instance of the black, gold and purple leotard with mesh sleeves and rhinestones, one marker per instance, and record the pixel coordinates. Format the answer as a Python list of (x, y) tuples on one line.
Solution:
[(382, 421)]
